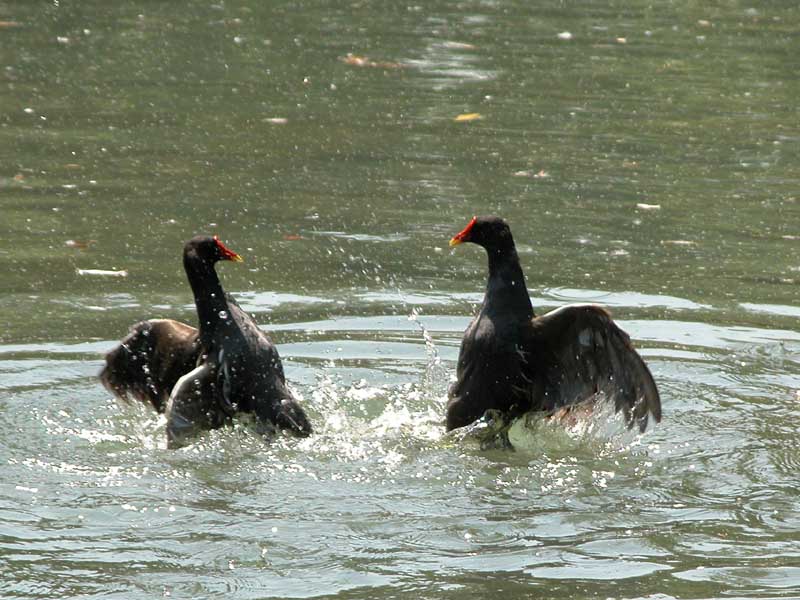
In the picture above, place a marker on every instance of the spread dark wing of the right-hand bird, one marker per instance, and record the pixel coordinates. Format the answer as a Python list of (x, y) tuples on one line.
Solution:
[(577, 352)]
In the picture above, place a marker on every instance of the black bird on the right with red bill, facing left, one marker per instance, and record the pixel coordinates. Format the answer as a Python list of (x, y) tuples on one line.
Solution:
[(512, 361)]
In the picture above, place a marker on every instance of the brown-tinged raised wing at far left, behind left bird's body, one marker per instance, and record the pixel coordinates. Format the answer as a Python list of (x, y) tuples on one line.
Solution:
[(149, 361)]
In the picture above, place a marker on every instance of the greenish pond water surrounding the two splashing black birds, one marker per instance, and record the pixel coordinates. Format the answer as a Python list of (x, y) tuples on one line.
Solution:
[(646, 156)]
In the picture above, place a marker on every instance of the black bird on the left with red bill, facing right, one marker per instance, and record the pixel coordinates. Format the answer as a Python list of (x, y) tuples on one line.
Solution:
[(202, 377)]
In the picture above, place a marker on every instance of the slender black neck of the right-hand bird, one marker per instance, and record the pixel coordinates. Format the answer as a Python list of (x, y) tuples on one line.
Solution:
[(506, 292)]
